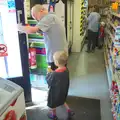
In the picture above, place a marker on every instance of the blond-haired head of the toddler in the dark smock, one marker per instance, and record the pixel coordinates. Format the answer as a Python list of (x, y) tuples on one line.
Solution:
[(60, 57)]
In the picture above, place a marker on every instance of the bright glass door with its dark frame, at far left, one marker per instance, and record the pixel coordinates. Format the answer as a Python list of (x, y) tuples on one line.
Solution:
[(14, 62)]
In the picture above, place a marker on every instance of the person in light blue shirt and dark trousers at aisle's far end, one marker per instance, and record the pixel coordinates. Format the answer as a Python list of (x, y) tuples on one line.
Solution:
[(93, 28)]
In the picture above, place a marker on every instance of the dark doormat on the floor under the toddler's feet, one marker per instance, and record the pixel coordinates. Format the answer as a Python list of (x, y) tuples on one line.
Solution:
[(85, 109)]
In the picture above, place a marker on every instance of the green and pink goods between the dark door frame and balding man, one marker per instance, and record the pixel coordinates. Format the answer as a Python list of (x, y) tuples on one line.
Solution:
[(38, 62)]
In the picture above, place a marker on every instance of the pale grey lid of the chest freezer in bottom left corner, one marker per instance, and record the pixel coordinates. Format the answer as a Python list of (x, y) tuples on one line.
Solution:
[(8, 92)]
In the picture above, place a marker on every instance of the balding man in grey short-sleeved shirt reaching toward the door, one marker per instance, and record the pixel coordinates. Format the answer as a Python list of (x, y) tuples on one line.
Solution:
[(53, 29)]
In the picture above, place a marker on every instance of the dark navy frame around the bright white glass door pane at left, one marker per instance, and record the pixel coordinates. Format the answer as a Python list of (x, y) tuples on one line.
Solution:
[(23, 81)]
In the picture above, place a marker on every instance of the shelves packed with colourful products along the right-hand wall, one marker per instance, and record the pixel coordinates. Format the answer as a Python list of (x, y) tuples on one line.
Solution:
[(112, 58)]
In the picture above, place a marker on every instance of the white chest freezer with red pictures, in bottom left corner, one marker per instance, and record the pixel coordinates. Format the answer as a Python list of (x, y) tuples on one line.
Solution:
[(12, 103)]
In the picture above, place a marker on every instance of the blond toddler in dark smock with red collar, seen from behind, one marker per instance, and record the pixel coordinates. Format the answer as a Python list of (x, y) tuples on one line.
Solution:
[(58, 82)]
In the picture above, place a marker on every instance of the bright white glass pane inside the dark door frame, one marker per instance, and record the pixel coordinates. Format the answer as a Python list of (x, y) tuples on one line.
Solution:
[(9, 39)]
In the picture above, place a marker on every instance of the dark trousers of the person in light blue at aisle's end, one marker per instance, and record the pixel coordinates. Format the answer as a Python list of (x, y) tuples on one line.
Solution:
[(92, 40)]
